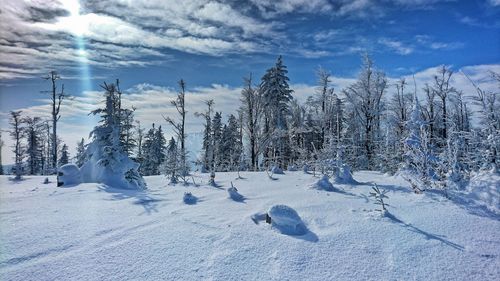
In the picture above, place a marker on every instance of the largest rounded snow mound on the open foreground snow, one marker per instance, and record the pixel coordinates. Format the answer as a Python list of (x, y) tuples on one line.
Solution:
[(286, 220)]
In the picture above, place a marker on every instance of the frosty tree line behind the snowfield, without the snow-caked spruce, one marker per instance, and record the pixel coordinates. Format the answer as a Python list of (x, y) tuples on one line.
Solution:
[(371, 124)]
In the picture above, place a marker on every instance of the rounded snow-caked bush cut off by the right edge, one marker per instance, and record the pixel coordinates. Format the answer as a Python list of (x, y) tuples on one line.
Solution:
[(484, 189)]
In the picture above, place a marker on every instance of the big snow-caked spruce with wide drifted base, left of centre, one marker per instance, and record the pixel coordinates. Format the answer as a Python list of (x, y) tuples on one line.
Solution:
[(108, 162)]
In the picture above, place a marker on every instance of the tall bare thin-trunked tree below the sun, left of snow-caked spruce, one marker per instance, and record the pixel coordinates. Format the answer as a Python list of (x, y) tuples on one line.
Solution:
[(56, 100)]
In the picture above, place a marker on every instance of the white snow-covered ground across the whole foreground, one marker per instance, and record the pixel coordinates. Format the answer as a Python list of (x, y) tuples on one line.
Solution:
[(93, 232)]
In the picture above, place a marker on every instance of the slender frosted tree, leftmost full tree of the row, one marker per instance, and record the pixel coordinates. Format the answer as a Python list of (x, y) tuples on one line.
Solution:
[(18, 147)]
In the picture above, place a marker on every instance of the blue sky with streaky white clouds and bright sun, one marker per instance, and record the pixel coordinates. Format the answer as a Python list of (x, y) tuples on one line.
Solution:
[(150, 44)]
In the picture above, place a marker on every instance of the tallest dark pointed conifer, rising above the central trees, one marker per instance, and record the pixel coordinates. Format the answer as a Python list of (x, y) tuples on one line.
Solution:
[(276, 95)]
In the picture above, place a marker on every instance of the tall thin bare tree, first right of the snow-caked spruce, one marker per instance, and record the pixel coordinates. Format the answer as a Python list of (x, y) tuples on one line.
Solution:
[(180, 126)]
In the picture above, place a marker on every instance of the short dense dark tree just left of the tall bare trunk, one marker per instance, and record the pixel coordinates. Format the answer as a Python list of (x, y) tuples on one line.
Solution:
[(33, 133)]
